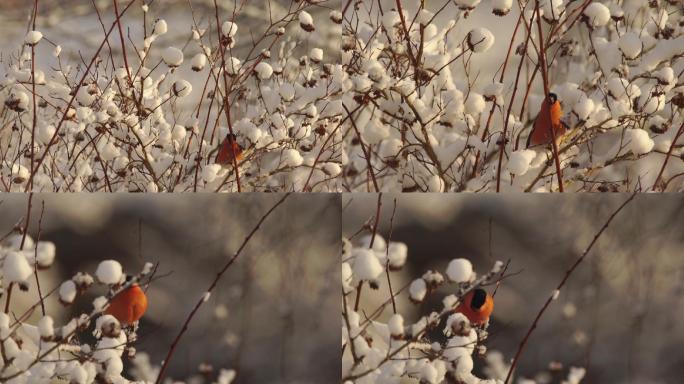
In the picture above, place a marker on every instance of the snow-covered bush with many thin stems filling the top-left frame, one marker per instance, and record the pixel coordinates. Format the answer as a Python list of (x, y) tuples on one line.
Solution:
[(131, 121)]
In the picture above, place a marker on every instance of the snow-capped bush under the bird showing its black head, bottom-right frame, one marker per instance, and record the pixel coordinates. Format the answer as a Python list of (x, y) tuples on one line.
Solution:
[(382, 352)]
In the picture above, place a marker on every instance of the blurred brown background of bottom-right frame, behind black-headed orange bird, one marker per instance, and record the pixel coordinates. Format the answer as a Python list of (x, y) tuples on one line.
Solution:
[(619, 316)]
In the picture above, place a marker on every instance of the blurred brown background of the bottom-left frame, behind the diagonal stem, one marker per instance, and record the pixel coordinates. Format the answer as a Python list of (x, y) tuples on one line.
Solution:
[(274, 315)]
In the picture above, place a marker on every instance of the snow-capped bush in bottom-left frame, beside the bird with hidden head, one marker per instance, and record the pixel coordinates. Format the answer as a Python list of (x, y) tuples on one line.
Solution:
[(88, 348)]
